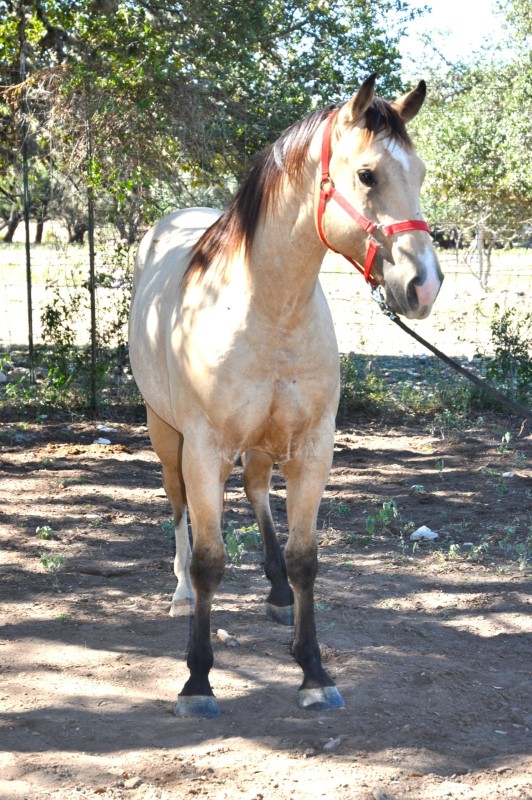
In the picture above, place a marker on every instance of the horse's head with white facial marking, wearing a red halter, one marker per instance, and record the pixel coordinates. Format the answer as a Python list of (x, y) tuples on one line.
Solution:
[(372, 172)]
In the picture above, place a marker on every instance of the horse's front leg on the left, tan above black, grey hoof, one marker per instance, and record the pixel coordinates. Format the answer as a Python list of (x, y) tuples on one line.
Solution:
[(205, 476)]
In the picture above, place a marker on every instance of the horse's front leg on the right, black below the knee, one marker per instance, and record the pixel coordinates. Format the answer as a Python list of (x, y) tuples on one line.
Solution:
[(306, 476)]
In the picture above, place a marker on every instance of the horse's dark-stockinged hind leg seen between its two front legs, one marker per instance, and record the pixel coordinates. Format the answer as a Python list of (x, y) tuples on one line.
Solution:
[(257, 475)]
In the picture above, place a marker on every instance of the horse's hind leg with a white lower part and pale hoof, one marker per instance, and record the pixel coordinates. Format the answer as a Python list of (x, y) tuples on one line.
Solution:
[(168, 444)]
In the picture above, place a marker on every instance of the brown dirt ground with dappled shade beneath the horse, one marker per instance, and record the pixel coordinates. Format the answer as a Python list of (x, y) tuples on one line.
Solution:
[(429, 644)]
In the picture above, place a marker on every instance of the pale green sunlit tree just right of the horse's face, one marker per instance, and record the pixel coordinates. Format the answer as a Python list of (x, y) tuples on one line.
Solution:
[(475, 136)]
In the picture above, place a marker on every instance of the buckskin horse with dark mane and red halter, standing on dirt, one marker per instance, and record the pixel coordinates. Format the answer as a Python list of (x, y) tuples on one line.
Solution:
[(233, 348)]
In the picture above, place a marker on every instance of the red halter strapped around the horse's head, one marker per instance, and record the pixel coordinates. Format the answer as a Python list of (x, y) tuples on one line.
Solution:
[(378, 234)]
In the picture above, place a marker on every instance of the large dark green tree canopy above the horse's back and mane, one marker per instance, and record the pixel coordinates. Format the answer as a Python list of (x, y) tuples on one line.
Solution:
[(175, 98)]
